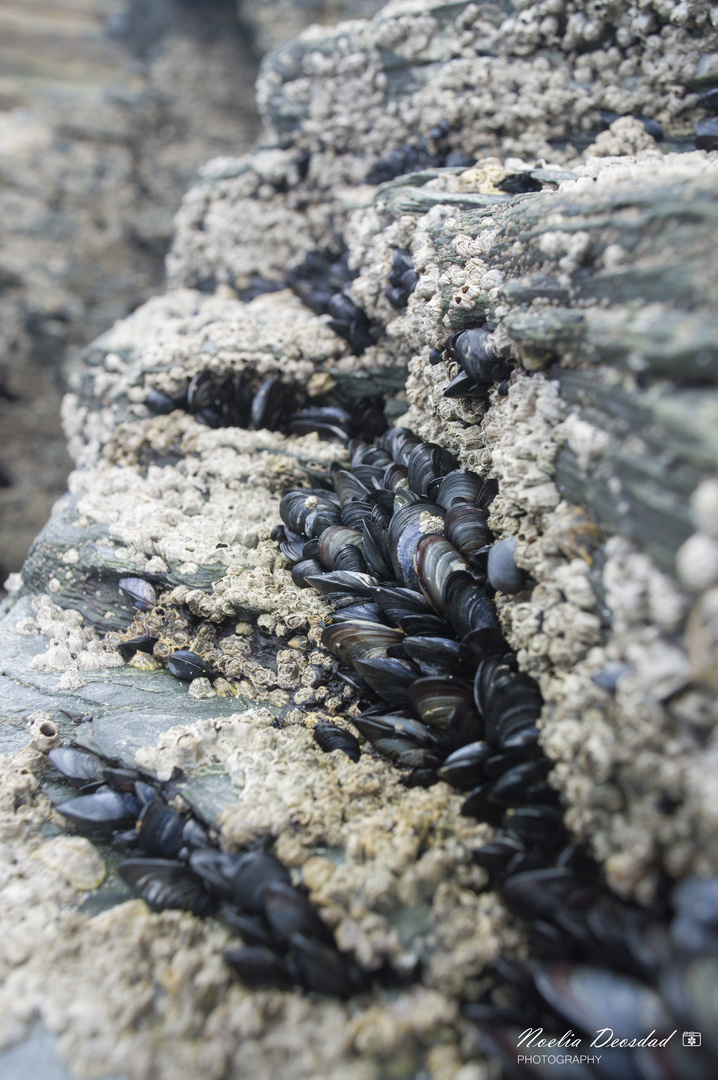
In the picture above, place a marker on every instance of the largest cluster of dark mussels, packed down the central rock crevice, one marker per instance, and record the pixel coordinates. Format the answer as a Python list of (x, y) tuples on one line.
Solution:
[(399, 541)]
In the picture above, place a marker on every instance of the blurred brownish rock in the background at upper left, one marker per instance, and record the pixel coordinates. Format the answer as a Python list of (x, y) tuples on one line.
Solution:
[(107, 110)]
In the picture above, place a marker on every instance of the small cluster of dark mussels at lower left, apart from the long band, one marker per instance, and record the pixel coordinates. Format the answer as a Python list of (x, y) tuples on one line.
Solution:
[(177, 865)]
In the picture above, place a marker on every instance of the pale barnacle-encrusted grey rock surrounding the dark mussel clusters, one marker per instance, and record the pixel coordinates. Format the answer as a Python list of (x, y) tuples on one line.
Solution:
[(599, 293)]
